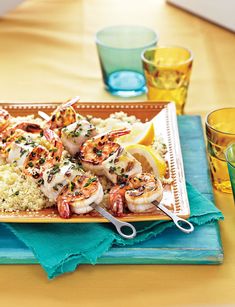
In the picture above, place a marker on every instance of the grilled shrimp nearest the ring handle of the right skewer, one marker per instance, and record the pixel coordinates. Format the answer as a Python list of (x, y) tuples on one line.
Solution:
[(138, 194)]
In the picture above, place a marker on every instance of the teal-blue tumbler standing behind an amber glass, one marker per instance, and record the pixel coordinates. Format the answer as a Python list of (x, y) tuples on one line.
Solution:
[(119, 50)]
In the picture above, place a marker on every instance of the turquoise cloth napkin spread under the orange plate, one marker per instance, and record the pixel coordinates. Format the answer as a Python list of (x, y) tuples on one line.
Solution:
[(60, 248)]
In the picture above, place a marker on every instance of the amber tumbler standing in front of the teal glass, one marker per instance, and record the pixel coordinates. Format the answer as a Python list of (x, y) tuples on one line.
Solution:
[(167, 71)]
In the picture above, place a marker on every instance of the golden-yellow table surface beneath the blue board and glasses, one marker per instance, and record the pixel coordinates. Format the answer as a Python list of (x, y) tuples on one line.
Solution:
[(47, 53)]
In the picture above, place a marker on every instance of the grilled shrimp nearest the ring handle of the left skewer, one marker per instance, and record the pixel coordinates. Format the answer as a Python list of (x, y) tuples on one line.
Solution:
[(78, 195)]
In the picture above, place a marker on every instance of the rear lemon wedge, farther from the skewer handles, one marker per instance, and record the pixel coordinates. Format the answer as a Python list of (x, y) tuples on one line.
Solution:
[(141, 133)]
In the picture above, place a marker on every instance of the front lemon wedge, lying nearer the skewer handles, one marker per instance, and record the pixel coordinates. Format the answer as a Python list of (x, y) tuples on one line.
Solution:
[(151, 161)]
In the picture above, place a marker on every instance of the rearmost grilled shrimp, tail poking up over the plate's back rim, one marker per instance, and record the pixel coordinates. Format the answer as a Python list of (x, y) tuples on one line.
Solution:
[(63, 116)]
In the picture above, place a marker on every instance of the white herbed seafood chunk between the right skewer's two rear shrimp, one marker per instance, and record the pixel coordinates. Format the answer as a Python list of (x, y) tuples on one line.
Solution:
[(74, 135)]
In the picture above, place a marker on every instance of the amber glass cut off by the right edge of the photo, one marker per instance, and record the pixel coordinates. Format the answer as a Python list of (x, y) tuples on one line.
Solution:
[(220, 131)]
